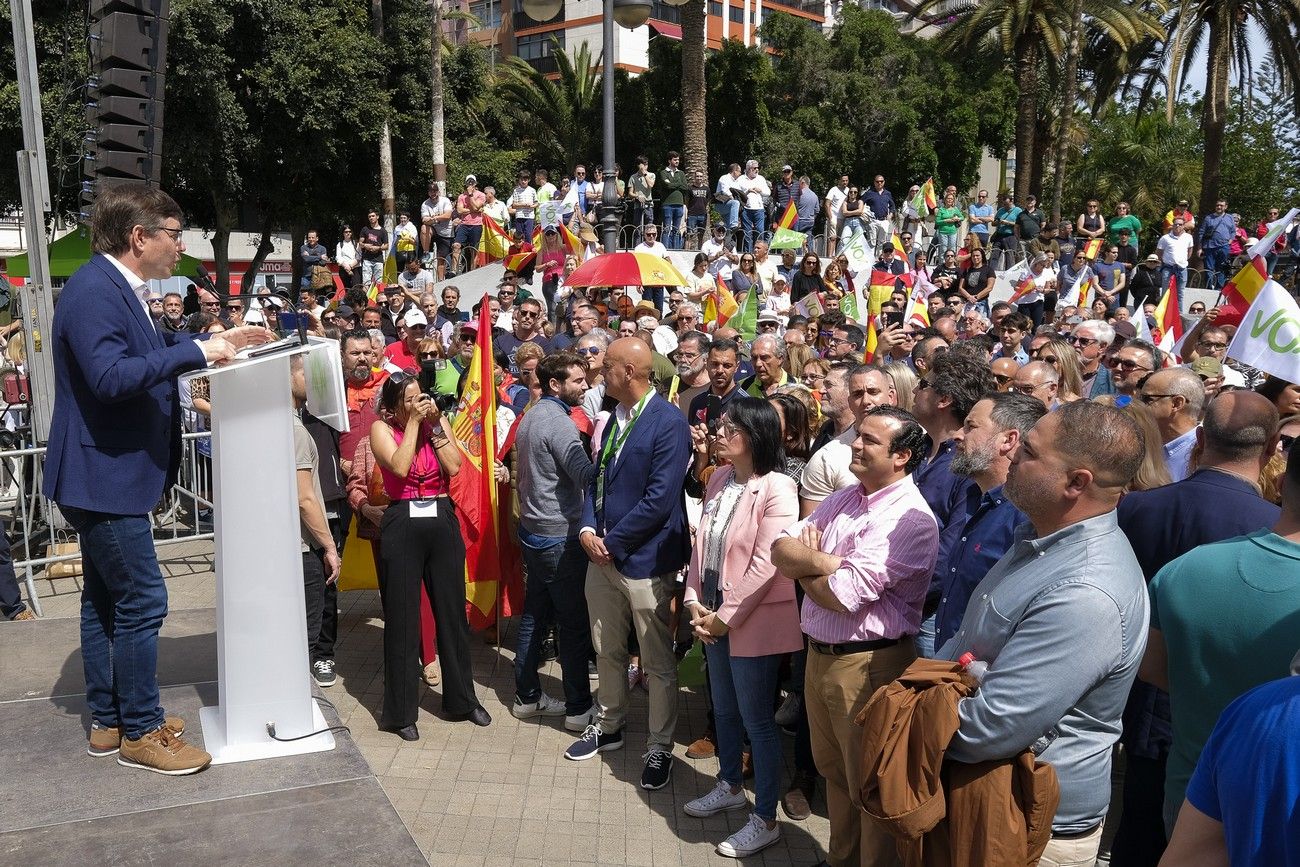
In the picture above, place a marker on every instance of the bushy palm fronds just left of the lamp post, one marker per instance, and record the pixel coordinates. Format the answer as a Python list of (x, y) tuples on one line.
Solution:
[(562, 115)]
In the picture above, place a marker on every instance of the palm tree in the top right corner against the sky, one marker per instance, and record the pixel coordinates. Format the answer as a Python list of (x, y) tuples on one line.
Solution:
[(1224, 28)]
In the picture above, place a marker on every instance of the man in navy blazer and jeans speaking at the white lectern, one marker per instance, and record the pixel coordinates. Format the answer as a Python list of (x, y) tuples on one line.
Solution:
[(115, 446)]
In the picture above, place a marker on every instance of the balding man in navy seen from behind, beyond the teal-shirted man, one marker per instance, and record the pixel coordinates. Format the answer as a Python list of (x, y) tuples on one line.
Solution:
[(1217, 502)]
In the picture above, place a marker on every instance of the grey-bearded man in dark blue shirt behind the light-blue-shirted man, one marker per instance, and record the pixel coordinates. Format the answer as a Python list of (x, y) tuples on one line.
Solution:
[(986, 443)]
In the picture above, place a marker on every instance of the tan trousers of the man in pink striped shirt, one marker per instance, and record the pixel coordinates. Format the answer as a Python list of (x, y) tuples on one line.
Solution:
[(835, 691)]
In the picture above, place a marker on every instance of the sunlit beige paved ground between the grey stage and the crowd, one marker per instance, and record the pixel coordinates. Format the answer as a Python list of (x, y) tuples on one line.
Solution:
[(505, 795)]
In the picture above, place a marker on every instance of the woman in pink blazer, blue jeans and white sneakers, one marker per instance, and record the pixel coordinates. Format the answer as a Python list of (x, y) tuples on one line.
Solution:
[(744, 613)]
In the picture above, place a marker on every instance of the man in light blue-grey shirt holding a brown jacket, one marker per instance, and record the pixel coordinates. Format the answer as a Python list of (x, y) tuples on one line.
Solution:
[(1061, 619)]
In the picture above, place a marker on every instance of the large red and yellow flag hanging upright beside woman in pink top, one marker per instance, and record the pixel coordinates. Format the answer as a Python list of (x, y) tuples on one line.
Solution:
[(474, 489)]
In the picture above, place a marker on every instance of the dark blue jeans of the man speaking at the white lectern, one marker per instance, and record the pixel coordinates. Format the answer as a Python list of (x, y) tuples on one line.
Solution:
[(124, 604)]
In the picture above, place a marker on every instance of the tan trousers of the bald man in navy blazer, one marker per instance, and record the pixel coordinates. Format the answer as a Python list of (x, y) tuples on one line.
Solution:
[(614, 605)]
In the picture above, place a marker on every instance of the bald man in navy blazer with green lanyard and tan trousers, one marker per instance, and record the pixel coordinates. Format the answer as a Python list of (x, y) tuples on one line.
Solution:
[(636, 535)]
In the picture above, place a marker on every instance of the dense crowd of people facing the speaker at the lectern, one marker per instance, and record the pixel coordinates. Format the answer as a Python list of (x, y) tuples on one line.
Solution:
[(1110, 532)]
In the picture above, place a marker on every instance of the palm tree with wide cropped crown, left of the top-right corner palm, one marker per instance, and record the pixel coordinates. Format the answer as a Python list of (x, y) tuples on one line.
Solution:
[(1029, 32)]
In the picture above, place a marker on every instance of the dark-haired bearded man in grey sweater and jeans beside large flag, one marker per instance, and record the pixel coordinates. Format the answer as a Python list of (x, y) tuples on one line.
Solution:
[(552, 484)]
